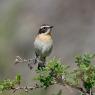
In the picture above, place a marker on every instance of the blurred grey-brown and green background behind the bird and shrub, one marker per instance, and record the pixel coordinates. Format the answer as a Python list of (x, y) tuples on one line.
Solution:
[(74, 34)]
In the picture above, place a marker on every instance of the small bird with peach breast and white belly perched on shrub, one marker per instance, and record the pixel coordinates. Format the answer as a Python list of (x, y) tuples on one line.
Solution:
[(43, 44)]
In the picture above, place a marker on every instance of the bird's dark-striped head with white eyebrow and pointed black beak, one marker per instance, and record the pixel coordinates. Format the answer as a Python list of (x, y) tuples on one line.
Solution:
[(45, 29)]
